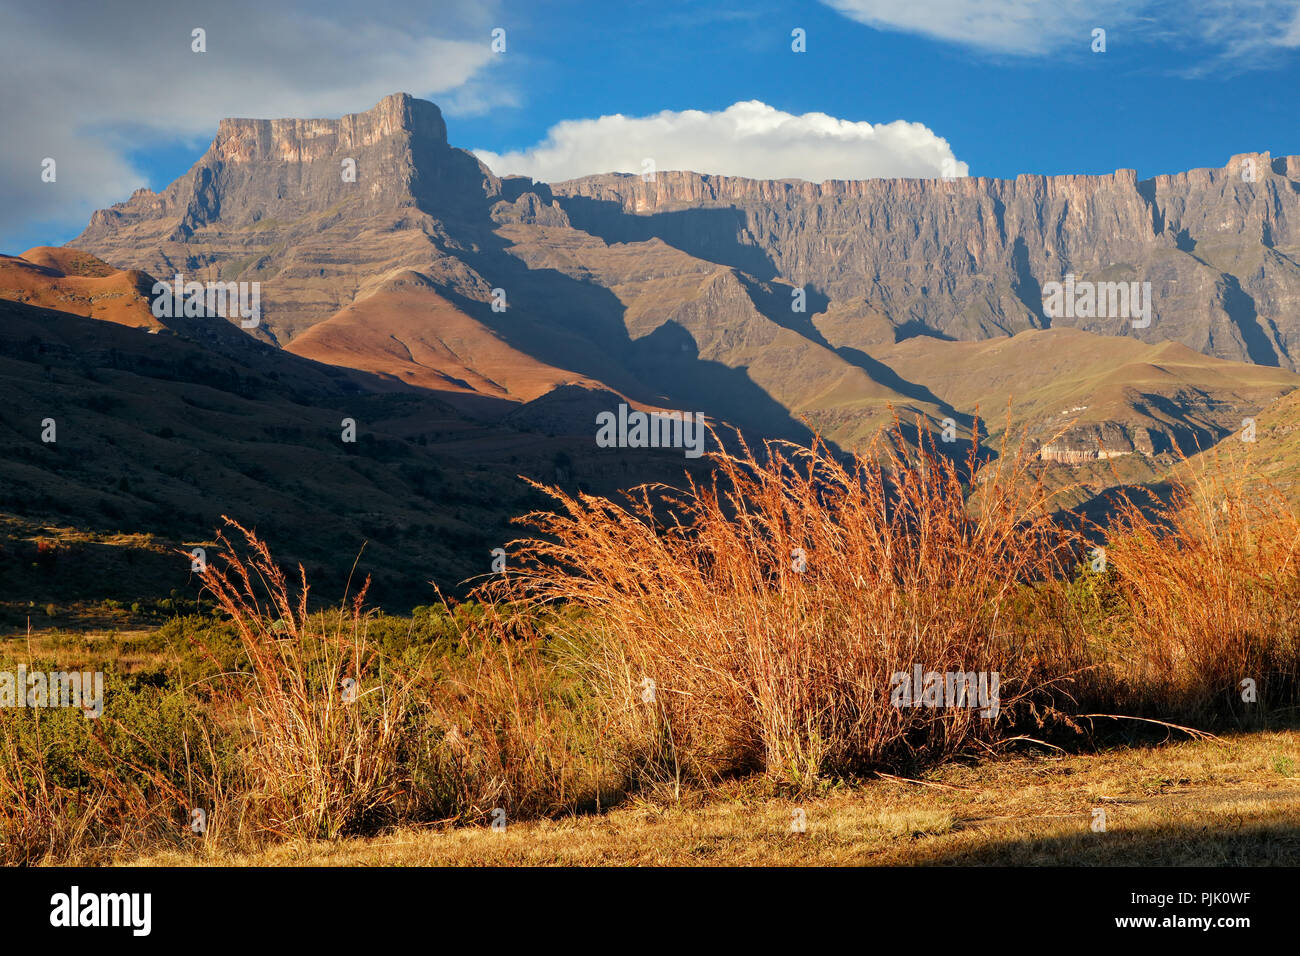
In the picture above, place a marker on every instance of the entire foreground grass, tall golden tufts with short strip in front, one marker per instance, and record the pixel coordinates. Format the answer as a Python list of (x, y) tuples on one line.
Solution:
[(707, 661)]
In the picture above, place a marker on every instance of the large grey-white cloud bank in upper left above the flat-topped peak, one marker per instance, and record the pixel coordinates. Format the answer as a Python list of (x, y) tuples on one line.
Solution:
[(97, 84)]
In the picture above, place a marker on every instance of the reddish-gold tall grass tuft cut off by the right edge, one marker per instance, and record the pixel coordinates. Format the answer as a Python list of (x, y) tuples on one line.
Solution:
[(1210, 589)]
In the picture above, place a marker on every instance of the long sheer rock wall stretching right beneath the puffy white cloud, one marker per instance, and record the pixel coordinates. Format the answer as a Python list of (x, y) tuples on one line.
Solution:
[(968, 259)]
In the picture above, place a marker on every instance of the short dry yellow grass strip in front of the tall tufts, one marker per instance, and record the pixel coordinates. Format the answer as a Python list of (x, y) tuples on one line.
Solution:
[(1224, 802)]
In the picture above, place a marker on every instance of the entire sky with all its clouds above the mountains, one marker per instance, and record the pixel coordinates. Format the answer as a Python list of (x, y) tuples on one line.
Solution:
[(1002, 86)]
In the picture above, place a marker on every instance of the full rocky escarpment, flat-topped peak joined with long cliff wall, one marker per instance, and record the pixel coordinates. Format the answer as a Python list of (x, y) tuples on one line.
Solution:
[(964, 259)]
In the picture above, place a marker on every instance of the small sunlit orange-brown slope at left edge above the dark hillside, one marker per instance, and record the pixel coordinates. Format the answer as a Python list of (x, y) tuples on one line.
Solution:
[(79, 283)]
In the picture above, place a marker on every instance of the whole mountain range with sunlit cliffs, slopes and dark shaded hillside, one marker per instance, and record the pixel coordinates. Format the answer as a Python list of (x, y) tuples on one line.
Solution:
[(478, 325)]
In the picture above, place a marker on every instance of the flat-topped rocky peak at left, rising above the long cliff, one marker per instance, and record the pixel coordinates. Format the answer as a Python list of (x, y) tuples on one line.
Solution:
[(374, 187)]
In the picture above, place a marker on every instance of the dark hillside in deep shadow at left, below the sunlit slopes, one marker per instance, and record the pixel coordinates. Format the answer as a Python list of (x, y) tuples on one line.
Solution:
[(161, 435)]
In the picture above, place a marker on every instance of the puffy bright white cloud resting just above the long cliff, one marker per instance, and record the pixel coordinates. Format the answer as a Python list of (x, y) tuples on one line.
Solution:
[(749, 139)]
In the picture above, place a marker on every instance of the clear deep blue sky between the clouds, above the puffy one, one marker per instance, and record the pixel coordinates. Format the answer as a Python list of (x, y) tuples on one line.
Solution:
[(1072, 111)]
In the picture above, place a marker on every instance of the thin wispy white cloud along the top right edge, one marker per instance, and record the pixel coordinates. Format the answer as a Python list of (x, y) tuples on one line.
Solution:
[(1238, 32)]
